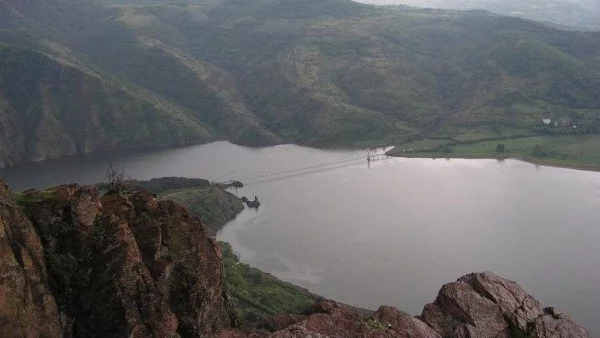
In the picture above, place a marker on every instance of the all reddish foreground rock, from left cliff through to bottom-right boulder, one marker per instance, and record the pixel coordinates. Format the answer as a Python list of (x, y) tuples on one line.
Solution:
[(80, 263)]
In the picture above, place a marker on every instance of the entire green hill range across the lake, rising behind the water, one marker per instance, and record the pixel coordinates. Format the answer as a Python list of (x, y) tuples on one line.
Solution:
[(258, 72)]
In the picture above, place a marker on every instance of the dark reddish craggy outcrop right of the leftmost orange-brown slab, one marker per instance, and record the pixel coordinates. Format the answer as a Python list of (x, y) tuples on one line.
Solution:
[(128, 265)]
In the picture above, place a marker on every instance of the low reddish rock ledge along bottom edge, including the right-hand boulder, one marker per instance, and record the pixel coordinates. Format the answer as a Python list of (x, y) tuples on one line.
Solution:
[(478, 305)]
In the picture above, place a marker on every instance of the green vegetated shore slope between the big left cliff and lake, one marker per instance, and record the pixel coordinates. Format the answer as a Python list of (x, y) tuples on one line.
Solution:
[(252, 294)]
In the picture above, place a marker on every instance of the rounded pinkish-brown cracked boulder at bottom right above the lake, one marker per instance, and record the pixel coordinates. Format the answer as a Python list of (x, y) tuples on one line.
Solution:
[(486, 305)]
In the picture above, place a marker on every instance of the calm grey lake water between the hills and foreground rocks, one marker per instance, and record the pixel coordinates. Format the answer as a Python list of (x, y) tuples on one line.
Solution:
[(392, 232)]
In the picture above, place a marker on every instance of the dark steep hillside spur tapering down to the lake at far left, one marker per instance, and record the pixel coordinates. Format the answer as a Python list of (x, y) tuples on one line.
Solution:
[(50, 108)]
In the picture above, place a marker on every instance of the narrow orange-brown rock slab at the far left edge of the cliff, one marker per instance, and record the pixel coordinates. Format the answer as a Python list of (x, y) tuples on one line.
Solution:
[(27, 306)]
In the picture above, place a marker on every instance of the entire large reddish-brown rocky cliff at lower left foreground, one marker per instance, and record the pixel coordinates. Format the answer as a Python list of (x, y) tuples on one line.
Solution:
[(117, 265)]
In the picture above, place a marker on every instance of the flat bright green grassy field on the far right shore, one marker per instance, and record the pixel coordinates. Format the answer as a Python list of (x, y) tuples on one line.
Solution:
[(577, 151)]
